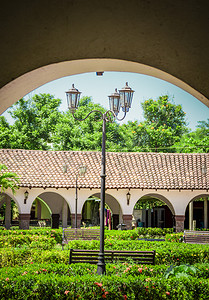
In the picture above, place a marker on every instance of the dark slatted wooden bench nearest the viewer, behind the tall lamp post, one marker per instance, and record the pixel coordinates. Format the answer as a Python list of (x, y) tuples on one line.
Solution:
[(91, 256)]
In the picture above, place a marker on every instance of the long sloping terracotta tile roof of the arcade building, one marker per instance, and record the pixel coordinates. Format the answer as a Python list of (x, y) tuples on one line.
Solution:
[(124, 170)]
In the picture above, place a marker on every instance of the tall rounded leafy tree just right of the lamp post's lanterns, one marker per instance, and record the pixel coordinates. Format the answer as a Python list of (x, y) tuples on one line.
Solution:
[(163, 126)]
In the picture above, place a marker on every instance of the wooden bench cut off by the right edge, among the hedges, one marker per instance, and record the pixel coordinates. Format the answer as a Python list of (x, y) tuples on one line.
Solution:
[(196, 237)]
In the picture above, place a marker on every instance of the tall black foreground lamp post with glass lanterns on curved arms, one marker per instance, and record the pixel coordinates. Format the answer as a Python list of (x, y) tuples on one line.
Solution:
[(122, 99)]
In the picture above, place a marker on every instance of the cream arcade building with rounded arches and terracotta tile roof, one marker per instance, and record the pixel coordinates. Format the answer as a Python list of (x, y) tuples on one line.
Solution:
[(176, 179)]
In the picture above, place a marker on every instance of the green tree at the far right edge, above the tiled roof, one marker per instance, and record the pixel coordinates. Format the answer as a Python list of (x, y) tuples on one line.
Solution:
[(196, 141)]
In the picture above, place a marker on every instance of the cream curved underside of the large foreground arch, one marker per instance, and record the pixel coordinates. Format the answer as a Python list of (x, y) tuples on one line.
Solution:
[(21, 86)]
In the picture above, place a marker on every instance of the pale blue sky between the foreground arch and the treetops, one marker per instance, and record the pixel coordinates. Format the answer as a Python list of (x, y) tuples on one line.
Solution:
[(99, 87)]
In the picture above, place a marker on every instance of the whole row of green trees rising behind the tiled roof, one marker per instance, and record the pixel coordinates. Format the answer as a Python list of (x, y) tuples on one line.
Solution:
[(39, 125)]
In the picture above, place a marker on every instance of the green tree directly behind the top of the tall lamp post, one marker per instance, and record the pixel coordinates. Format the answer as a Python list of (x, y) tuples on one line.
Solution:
[(71, 134)]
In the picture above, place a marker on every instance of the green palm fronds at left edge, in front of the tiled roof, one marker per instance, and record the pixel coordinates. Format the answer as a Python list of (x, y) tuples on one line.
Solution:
[(8, 179)]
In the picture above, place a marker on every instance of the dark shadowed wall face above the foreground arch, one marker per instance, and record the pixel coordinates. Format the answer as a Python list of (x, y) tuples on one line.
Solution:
[(145, 37)]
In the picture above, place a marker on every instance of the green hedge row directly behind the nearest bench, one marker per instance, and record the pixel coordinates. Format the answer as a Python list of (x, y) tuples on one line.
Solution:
[(166, 253)]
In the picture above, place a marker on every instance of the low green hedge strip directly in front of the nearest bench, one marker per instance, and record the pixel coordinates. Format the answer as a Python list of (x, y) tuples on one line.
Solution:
[(121, 269)]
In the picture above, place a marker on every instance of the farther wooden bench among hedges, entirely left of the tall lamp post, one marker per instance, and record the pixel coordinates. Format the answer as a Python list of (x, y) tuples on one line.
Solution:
[(70, 234)]
